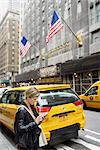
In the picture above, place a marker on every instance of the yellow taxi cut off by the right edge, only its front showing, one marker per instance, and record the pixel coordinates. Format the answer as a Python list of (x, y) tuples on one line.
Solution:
[(91, 98)]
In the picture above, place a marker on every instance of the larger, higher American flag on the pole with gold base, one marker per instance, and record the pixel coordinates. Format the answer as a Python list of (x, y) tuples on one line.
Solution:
[(56, 25)]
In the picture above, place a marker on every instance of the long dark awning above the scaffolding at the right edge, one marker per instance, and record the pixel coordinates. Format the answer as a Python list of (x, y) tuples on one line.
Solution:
[(90, 63)]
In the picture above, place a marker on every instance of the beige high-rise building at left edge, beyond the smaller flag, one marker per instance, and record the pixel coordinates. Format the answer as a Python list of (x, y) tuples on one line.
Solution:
[(9, 46)]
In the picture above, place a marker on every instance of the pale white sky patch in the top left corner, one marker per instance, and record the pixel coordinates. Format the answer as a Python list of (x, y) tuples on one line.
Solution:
[(3, 8)]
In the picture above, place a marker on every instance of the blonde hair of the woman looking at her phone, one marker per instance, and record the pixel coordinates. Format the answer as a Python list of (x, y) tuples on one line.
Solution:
[(32, 92)]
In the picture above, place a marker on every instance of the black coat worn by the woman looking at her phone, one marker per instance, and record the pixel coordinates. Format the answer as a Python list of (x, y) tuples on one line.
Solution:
[(26, 130)]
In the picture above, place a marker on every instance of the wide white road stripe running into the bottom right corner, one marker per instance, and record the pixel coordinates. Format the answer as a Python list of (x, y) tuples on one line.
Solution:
[(88, 145)]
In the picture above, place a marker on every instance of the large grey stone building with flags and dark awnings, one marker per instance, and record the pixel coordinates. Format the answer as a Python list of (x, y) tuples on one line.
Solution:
[(69, 62)]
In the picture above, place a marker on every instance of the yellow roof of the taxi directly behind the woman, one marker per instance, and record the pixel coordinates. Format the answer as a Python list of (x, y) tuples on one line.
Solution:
[(41, 87)]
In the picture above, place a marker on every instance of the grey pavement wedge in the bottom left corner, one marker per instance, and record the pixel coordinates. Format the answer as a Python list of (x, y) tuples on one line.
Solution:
[(5, 143)]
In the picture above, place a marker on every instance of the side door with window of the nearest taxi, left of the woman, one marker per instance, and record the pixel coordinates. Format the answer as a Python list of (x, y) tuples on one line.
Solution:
[(8, 107)]
